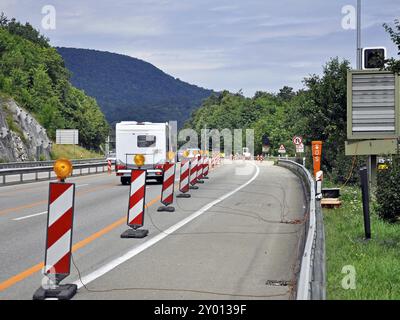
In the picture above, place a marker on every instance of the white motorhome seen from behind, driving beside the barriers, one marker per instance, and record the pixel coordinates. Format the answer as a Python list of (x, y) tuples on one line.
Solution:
[(146, 138)]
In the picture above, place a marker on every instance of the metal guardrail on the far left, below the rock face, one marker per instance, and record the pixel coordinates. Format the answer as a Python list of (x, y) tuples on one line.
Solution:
[(4, 173)]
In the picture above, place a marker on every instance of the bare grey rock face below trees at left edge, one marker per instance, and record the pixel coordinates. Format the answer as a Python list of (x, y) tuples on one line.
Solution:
[(22, 138)]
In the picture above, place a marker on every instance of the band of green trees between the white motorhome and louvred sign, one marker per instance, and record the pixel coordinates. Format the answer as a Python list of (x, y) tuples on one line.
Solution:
[(317, 112)]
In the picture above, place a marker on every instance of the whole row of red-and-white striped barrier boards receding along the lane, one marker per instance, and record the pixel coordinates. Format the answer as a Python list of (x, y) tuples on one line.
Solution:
[(58, 253)]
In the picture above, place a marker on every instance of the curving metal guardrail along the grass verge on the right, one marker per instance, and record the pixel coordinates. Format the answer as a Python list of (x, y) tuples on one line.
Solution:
[(311, 281)]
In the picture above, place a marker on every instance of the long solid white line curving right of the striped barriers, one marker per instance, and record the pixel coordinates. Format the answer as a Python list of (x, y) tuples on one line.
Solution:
[(135, 251)]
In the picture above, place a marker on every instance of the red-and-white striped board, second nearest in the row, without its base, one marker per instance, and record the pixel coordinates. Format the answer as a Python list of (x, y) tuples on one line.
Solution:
[(136, 198)]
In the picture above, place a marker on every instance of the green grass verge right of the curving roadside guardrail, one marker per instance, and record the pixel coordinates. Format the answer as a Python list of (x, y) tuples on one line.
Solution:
[(376, 262)]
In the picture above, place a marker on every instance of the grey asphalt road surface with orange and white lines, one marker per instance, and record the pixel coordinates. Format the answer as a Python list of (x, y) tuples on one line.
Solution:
[(236, 238)]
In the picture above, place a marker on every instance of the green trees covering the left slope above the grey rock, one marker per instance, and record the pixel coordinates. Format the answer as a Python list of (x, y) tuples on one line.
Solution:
[(34, 75)]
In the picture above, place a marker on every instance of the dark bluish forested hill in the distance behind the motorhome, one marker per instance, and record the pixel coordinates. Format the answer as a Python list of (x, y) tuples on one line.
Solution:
[(127, 88)]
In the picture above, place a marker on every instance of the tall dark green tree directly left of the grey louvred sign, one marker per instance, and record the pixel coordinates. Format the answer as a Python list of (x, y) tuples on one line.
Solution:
[(325, 116)]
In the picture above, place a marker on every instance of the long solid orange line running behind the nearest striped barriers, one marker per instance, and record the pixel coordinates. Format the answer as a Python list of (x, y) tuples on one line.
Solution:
[(36, 268)]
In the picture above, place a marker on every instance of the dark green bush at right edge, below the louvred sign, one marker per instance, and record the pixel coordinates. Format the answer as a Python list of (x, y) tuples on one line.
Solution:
[(388, 191)]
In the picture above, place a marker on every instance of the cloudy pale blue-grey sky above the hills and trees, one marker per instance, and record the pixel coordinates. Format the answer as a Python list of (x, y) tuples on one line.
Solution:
[(218, 44)]
